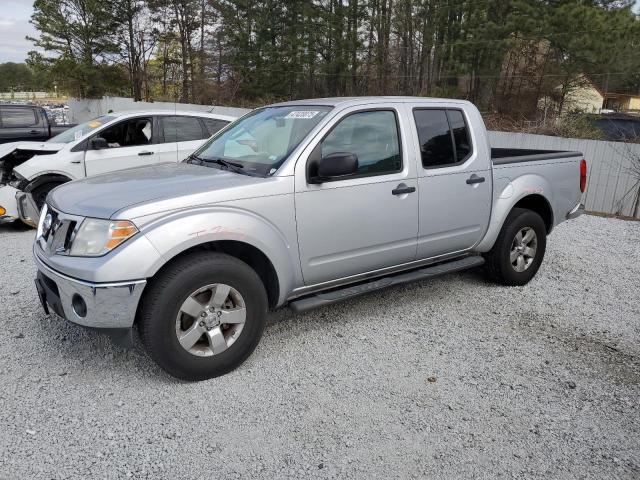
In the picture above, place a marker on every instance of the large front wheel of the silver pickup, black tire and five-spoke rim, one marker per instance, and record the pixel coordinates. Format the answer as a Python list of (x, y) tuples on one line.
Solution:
[(203, 315)]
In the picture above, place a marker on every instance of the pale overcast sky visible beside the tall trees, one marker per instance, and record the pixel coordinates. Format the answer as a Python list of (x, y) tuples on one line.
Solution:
[(14, 26)]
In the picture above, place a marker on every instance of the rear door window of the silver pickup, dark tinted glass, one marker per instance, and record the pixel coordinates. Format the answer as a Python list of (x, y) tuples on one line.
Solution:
[(443, 136)]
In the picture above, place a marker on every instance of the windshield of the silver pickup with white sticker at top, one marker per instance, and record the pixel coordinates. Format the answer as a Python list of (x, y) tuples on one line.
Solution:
[(261, 141)]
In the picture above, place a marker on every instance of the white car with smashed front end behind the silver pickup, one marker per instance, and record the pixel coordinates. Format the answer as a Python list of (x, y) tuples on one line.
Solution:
[(30, 170)]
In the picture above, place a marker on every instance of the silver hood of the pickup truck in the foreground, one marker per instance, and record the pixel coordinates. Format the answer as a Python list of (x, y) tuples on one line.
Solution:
[(144, 191)]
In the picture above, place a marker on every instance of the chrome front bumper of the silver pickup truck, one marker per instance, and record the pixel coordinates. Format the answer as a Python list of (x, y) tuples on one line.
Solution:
[(96, 305)]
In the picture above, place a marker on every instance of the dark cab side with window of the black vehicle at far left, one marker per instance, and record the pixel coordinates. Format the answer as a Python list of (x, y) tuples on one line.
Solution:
[(20, 123)]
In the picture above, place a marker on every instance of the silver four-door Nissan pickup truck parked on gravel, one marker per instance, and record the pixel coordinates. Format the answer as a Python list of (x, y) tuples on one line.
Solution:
[(303, 203)]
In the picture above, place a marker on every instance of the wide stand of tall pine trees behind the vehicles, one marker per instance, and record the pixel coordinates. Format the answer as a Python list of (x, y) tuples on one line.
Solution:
[(505, 55)]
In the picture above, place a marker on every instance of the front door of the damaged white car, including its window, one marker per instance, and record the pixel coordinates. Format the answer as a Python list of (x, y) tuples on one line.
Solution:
[(131, 143)]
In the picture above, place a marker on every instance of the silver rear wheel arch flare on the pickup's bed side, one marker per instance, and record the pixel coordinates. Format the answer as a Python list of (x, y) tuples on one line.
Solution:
[(505, 199)]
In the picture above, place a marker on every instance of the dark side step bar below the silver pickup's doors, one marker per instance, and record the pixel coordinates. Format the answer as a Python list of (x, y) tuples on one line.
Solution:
[(334, 296)]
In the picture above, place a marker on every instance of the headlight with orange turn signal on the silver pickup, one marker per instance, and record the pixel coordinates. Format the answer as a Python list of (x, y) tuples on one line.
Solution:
[(98, 237)]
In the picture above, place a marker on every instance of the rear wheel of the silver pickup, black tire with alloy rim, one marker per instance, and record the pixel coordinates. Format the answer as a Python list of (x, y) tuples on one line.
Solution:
[(519, 249)]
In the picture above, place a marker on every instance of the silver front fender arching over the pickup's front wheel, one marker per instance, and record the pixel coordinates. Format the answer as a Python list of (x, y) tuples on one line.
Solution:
[(177, 232)]
